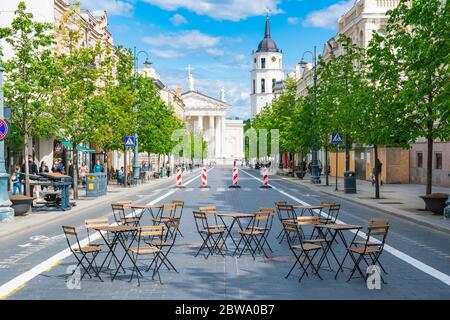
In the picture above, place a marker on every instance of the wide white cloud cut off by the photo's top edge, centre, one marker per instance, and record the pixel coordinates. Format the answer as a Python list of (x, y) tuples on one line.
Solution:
[(233, 10)]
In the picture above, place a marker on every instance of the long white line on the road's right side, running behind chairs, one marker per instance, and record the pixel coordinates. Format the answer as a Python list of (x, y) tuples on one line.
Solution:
[(399, 254)]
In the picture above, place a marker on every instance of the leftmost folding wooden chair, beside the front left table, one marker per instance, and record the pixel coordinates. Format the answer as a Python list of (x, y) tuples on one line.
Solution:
[(88, 253)]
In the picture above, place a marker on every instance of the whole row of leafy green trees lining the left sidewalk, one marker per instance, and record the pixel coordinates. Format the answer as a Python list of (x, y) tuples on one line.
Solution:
[(58, 87)]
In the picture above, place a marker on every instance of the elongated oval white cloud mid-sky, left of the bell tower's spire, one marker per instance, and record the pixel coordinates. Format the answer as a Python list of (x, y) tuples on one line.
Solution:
[(192, 40)]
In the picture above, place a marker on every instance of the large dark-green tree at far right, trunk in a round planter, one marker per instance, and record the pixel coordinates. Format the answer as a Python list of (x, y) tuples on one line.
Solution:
[(417, 45)]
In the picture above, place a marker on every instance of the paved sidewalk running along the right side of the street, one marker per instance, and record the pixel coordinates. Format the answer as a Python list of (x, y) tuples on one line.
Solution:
[(401, 200)]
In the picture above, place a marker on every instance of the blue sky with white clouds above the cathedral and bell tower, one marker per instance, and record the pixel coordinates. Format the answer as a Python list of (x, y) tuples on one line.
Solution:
[(217, 37)]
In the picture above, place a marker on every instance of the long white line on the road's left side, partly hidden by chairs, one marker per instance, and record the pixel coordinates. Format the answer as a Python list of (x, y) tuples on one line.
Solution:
[(23, 278)]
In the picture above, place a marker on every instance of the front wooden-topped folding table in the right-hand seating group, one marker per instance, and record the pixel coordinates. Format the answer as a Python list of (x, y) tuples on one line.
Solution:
[(337, 229)]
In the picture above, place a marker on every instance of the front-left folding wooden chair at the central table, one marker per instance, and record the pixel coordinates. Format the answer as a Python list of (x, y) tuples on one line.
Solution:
[(210, 236)]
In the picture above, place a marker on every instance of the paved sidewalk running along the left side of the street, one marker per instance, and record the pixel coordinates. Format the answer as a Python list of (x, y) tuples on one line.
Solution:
[(115, 192)]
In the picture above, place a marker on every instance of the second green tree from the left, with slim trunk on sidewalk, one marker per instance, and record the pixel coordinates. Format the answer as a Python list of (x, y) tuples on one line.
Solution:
[(74, 98)]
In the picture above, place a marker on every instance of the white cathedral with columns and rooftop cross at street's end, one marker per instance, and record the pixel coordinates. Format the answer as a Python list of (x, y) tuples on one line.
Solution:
[(206, 114)]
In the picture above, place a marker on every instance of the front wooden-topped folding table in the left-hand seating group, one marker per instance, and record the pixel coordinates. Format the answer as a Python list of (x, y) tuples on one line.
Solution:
[(118, 238)]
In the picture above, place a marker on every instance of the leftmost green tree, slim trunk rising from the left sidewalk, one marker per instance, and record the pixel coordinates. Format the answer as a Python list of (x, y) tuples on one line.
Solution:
[(29, 74)]
